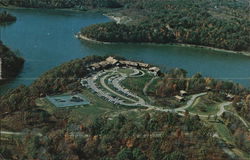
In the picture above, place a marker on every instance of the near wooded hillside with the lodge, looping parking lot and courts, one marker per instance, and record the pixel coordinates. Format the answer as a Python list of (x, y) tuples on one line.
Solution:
[(102, 129)]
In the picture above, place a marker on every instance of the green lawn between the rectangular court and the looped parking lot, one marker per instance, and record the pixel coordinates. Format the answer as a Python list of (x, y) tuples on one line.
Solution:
[(82, 114)]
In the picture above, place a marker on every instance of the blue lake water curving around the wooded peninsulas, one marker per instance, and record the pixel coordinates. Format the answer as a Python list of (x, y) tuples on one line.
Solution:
[(45, 38)]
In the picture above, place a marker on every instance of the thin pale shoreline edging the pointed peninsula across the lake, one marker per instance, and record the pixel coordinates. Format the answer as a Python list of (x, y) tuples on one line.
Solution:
[(82, 37)]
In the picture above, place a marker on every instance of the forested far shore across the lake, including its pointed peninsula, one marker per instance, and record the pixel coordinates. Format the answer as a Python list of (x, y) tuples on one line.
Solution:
[(223, 24)]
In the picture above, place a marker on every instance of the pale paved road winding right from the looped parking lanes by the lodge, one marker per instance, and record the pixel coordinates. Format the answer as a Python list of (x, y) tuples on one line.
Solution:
[(141, 102)]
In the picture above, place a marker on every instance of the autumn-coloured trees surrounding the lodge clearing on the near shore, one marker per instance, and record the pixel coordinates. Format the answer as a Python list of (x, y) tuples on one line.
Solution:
[(154, 135)]
